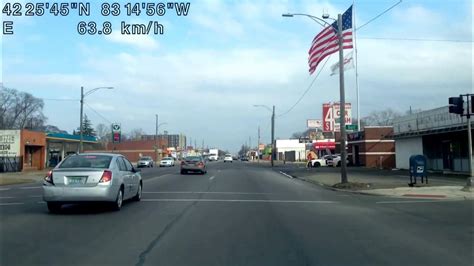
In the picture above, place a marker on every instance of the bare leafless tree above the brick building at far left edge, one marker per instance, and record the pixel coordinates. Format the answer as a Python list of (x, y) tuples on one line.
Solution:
[(20, 110)]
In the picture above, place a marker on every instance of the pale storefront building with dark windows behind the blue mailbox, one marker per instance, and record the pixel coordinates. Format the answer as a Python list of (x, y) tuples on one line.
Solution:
[(436, 134)]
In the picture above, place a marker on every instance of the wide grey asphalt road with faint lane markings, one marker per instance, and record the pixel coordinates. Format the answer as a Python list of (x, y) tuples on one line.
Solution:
[(236, 214)]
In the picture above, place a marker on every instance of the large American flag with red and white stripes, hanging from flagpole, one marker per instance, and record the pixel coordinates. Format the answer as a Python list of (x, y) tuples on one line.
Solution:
[(326, 42)]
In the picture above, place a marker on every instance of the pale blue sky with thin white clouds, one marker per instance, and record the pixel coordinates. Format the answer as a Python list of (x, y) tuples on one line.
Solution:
[(208, 69)]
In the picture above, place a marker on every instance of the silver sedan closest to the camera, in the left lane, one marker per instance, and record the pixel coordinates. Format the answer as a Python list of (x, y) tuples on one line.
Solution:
[(91, 177)]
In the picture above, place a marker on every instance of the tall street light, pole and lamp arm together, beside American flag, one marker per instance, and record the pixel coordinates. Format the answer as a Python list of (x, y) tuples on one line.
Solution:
[(341, 86)]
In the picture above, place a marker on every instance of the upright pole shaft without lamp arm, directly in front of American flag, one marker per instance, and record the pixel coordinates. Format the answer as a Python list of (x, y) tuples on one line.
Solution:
[(342, 109)]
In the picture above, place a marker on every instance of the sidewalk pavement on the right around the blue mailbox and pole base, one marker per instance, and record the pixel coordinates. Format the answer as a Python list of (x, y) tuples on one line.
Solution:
[(392, 183)]
